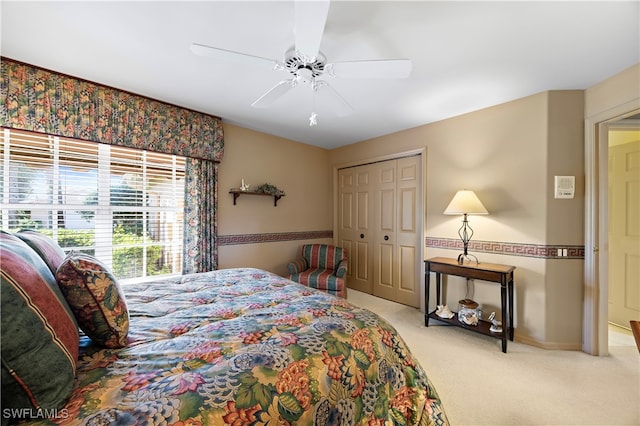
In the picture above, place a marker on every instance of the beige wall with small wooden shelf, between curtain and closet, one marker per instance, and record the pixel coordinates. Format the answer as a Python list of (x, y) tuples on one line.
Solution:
[(301, 171)]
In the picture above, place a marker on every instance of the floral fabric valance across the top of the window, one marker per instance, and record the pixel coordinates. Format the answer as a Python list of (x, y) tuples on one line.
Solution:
[(39, 100)]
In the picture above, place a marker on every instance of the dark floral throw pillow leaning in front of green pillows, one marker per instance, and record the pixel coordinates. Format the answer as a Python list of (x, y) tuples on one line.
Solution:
[(95, 298)]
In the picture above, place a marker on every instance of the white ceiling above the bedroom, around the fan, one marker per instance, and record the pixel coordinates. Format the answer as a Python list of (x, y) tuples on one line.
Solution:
[(466, 55)]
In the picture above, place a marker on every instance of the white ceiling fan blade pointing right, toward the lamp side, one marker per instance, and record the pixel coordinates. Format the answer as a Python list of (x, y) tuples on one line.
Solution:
[(391, 68)]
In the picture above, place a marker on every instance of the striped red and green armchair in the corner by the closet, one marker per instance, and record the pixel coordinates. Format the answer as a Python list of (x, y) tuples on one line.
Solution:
[(321, 266)]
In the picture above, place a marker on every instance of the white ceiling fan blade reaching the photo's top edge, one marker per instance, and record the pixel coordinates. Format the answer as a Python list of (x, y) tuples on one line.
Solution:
[(310, 18)]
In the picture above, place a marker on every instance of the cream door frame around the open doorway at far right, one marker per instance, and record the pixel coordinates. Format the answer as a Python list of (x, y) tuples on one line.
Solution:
[(595, 335)]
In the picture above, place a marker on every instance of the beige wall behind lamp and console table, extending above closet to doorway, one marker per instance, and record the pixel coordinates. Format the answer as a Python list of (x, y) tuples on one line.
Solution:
[(508, 154)]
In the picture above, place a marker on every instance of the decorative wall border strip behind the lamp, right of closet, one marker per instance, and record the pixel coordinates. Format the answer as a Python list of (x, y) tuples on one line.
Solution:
[(511, 249)]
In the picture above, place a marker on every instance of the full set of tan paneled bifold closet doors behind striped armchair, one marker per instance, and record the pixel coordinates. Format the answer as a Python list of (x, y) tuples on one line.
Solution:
[(379, 207)]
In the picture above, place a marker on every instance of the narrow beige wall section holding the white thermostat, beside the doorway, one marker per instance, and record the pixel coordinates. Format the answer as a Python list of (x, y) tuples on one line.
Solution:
[(565, 220)]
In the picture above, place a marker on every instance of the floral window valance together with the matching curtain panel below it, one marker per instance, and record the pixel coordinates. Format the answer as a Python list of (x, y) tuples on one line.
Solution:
[(39, 100)]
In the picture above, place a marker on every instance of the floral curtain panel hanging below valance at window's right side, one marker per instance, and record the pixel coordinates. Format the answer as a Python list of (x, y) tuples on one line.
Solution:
[(201, 216)]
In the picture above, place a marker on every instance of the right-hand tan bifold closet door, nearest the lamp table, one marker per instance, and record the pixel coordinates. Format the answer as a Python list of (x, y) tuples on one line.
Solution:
[(397, 237)]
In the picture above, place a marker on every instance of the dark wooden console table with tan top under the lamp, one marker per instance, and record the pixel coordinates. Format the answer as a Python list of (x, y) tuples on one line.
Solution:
[(501, 274)]
